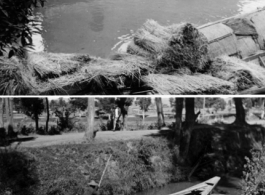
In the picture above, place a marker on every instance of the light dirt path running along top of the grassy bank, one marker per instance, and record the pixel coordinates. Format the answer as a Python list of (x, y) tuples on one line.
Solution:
[(72, 138)]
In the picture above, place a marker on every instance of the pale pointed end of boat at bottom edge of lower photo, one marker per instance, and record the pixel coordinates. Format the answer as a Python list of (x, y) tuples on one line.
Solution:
[(204, 188)]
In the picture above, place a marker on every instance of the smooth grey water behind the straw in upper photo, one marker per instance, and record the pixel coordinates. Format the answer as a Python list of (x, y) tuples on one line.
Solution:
[(94, 26)]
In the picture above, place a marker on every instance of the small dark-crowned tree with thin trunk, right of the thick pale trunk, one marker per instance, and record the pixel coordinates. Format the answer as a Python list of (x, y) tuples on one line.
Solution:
[(123, 104)]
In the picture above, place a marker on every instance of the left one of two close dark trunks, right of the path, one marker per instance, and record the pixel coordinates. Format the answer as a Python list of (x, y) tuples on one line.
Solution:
[(178, 117)]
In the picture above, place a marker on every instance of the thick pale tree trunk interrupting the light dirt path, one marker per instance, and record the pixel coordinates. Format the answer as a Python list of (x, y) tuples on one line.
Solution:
[(89, 134)]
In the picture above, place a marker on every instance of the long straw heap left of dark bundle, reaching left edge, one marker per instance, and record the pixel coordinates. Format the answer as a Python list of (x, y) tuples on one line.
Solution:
[(80, 74)]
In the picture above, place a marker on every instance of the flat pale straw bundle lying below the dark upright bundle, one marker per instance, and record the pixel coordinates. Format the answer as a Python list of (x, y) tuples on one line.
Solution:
[(187, 84)]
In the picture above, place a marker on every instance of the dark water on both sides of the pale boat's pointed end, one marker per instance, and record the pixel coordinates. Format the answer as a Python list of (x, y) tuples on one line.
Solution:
[(229, 185)]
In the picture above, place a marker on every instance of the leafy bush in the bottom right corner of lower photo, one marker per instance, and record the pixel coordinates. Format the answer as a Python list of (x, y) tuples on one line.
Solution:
[(254, 173)]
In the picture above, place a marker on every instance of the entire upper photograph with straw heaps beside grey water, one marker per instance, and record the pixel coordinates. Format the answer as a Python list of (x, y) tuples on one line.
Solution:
[(132, 47)]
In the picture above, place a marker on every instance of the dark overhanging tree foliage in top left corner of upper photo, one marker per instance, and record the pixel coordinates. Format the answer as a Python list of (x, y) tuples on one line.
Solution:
[(17, 23)]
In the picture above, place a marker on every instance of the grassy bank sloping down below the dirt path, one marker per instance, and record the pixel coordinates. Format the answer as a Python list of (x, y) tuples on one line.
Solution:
[(67, 169)]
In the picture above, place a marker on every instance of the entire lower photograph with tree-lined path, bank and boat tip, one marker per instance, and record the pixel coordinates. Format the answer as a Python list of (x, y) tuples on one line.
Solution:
[(134, 145)]
